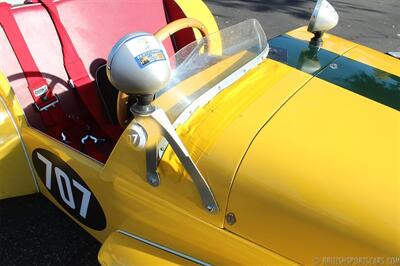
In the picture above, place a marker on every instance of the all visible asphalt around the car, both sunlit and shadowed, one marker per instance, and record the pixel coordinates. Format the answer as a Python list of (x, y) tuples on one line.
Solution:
[(34, 232)]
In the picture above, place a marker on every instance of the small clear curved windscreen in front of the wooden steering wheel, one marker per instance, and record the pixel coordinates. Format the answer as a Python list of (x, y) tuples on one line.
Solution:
[(204, 63)]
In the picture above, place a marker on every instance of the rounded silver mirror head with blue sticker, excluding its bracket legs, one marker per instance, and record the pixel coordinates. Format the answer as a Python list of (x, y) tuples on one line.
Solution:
[(138, 65)]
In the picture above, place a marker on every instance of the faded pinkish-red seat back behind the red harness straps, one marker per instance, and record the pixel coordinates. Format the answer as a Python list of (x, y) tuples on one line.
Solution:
[(94, 27)]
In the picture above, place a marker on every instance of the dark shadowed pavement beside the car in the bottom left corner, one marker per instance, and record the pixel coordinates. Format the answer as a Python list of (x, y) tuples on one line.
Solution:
[(34, 232)]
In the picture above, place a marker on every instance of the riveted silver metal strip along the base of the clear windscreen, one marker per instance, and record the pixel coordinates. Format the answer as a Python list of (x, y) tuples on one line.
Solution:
[(214, 91)]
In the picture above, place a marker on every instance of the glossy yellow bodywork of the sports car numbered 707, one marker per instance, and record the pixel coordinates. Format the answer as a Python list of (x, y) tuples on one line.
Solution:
[(302, 169)]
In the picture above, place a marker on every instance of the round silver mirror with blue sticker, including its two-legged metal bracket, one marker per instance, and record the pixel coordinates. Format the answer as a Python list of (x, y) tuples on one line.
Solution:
[(138, 65)]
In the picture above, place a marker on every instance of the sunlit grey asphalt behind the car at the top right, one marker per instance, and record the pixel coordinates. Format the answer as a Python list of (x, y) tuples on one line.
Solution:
[(372, 23)]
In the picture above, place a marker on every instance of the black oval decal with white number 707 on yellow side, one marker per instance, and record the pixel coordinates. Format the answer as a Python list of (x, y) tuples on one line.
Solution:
[(68, 188)]
